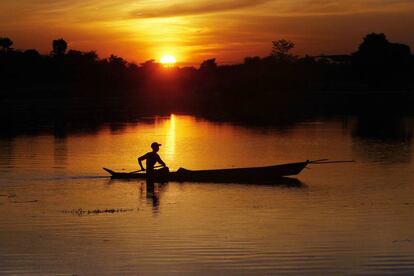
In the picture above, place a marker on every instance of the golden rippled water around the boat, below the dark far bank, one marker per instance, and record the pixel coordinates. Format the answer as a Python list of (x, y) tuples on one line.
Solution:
[(344, 219)]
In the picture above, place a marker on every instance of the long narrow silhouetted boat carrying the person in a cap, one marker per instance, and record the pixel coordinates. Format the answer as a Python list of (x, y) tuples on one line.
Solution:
[(255, 174)]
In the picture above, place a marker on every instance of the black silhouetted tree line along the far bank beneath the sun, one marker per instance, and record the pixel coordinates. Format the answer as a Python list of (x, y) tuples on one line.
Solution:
[(280, 80)]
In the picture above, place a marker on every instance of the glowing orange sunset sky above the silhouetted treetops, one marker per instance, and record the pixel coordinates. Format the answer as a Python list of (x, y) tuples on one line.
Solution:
[(194, 30)]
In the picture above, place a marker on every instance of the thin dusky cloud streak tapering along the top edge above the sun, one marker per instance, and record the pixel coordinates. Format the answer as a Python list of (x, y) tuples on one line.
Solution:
[(198, 8)]
